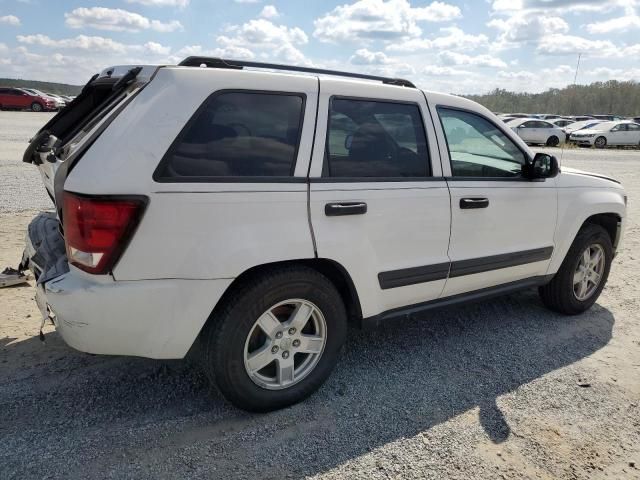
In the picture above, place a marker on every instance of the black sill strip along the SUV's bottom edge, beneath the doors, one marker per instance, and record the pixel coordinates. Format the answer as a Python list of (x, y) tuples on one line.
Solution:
[(405, 313)]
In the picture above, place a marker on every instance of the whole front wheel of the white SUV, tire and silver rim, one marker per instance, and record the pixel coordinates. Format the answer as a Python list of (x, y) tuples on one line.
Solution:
[(583, 273)]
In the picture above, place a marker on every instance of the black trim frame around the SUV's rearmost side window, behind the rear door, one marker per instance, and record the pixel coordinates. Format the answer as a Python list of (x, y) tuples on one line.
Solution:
[(166, 158)]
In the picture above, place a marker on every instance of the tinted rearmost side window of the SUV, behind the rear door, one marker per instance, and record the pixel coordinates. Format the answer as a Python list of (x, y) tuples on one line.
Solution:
[(237, 134)]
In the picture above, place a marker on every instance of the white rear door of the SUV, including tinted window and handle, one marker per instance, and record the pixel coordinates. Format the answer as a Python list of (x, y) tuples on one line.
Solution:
[(379, 205)]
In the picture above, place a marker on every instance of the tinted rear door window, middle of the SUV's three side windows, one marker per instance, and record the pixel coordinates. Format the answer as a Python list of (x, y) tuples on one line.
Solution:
[(376, 139)]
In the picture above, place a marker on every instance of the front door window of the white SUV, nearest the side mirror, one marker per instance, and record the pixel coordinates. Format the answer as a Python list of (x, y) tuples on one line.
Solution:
[(477, 147)]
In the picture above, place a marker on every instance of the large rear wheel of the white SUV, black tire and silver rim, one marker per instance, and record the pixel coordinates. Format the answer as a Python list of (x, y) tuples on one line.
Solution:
[(229, 333)]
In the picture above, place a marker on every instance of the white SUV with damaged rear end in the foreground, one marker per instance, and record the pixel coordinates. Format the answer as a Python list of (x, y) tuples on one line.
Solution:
[(251, 215)]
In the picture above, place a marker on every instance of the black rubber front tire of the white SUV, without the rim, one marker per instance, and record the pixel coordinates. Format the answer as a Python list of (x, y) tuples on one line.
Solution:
[(559, 294)]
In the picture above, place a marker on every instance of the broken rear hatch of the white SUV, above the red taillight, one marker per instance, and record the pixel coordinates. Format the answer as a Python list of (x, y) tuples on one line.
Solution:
[(60, 143)]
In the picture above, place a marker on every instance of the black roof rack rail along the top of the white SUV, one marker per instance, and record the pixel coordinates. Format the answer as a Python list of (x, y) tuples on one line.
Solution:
[(213, 62)]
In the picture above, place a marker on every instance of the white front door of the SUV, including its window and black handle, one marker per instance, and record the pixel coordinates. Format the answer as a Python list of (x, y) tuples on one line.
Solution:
[(503, 225)]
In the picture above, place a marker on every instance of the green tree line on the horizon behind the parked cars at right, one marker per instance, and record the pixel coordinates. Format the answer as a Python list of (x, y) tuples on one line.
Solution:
[(610, 97)]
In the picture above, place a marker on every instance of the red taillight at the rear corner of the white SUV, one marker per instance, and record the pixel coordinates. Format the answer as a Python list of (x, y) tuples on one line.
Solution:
[(97, 229)]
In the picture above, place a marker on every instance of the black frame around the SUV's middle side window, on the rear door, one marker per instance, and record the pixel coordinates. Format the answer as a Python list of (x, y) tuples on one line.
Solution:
[(325, 178)]
